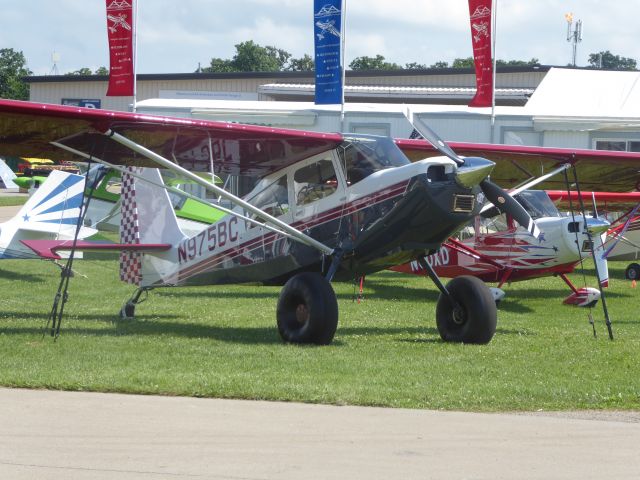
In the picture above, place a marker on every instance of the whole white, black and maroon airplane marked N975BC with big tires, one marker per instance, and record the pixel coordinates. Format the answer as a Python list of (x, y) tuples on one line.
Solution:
[(308, 208)]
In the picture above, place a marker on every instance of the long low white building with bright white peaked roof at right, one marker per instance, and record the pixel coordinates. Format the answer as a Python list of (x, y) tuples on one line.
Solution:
[(570, 108)]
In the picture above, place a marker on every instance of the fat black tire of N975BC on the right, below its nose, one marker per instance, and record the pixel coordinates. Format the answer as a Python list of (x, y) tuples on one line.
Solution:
[(473, 319)]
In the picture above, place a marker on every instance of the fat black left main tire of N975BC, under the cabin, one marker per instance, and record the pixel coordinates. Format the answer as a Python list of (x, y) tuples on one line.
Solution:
[(307, 310)]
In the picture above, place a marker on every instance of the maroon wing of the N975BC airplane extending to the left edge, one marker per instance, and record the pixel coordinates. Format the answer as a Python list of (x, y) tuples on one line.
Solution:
[(28, 129)]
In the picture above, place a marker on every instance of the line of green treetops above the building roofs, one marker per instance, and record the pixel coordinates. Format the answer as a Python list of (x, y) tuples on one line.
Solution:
[(252, 57)]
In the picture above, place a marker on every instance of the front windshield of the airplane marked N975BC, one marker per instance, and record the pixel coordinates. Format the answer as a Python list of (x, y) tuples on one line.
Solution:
[(363, 155)]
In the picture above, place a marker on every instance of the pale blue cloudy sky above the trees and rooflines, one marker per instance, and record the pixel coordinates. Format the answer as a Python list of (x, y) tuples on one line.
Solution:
[(176, 36)]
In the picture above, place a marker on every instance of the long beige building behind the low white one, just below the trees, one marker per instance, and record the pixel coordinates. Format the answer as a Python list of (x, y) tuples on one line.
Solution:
[(448, 85)]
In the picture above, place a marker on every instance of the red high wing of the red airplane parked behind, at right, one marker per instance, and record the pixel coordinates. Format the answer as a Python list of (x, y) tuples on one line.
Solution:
[(597, 170)]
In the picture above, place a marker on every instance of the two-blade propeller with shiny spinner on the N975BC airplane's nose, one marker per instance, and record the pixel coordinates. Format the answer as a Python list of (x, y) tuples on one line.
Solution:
[(481, 168)]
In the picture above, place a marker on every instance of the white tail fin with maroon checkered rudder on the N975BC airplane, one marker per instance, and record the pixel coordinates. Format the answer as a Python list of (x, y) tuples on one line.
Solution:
[(147, 217)]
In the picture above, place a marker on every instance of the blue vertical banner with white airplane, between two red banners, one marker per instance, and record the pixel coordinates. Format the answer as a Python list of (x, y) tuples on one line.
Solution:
[(327, 23)]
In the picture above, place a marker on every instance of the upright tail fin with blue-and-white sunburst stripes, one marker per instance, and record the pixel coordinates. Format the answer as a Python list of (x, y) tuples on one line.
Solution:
[(55, 207)]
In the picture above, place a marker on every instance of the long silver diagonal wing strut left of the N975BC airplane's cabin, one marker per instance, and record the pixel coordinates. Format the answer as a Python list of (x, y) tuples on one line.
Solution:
[(296, 234)]
